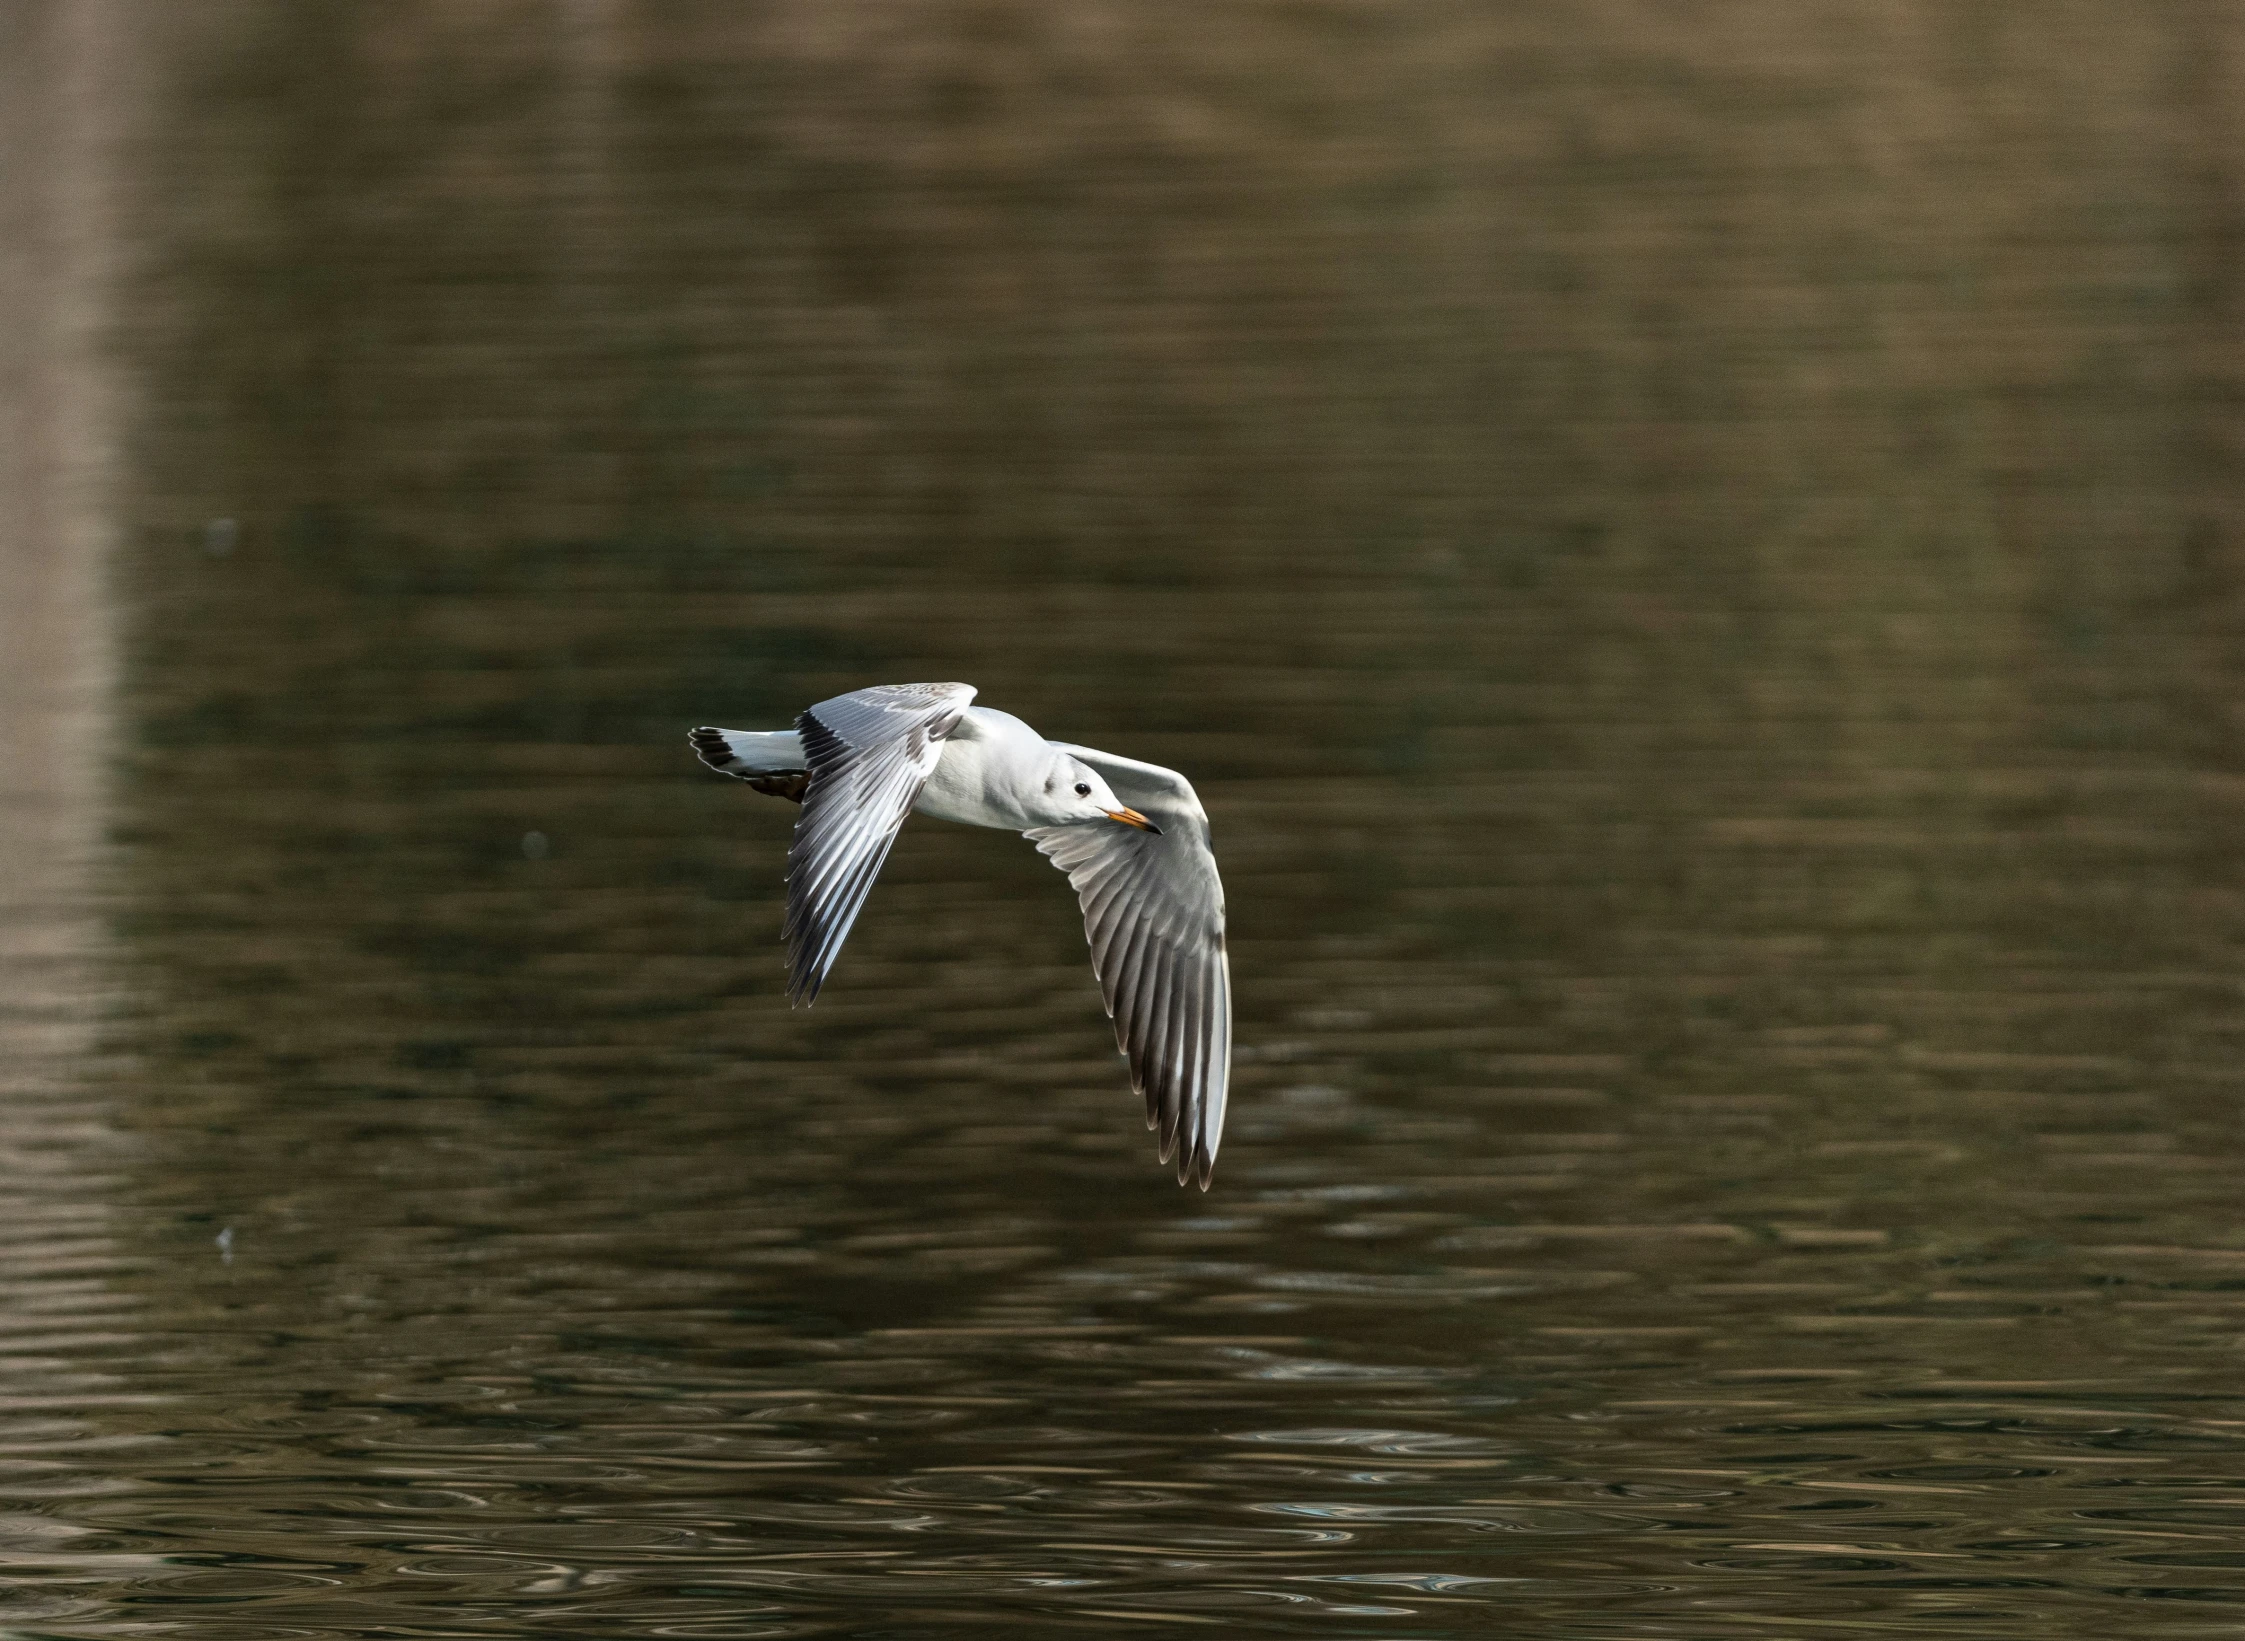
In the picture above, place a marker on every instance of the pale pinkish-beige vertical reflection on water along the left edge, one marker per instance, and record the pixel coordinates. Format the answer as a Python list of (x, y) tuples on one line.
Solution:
[(73, 1400)]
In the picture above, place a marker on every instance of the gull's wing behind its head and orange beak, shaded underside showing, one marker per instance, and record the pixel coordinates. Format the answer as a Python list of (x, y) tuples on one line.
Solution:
[(1155, 919)]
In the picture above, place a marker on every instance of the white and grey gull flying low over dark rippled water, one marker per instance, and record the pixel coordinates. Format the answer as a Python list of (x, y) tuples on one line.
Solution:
[(1142, 870)]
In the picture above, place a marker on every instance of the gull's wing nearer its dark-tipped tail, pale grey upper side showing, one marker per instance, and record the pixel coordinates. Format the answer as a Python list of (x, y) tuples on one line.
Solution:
[(870, 753)]
